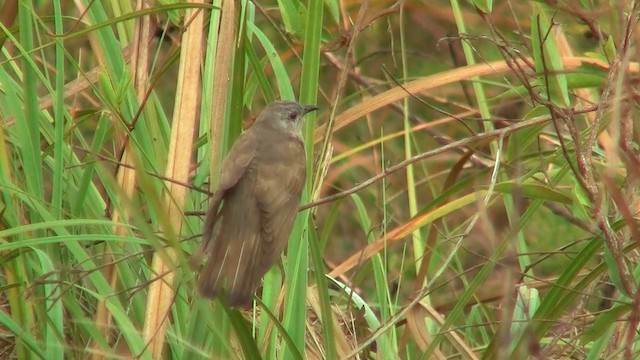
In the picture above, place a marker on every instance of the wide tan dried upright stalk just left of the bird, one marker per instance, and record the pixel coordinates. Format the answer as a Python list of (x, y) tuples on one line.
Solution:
[(185, 121)]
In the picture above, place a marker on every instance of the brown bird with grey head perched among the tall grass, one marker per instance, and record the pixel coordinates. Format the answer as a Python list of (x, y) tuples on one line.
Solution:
[(260, 187)]
